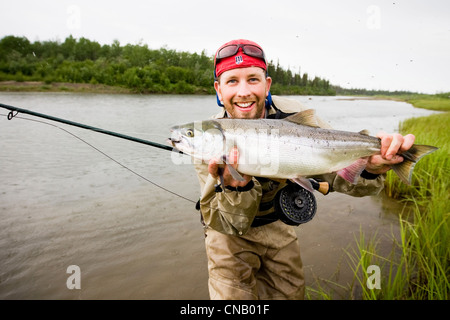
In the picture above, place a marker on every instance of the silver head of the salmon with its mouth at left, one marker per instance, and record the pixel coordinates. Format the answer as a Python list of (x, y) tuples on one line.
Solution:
[(201, 139)]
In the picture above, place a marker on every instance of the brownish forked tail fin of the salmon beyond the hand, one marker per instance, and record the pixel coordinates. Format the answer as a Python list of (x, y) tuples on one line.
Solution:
[(405, 169)]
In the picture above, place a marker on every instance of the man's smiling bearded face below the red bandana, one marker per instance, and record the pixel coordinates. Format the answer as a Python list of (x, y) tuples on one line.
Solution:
[(243, 92)]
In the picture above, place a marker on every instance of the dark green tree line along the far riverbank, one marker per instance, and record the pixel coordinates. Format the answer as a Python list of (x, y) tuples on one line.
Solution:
[(136, 67)]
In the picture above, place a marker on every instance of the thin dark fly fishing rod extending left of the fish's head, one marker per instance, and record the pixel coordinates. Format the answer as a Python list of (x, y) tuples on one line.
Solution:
[(14, 111)]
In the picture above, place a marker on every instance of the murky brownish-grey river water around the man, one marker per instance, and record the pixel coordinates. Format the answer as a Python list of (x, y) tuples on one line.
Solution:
[(64, 203)]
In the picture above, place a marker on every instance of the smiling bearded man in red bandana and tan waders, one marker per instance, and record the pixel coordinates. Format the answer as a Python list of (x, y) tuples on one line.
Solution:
[(251, 253)]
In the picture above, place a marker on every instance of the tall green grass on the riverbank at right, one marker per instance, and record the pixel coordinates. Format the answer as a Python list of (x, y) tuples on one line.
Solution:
[(418, 267)]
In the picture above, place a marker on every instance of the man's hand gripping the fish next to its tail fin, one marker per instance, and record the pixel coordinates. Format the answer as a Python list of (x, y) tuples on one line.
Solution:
[(392, 145)]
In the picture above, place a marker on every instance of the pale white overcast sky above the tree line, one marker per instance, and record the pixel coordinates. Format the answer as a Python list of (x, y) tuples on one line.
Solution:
[(382, 45)]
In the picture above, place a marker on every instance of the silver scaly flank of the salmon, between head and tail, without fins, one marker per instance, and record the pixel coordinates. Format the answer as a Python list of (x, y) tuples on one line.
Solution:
[(282, 149)]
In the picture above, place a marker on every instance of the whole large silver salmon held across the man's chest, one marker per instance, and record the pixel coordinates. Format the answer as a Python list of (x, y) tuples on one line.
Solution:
[(291, 148)]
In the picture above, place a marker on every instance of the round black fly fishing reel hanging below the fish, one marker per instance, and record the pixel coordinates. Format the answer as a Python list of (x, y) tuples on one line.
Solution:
[(295, 205)]
